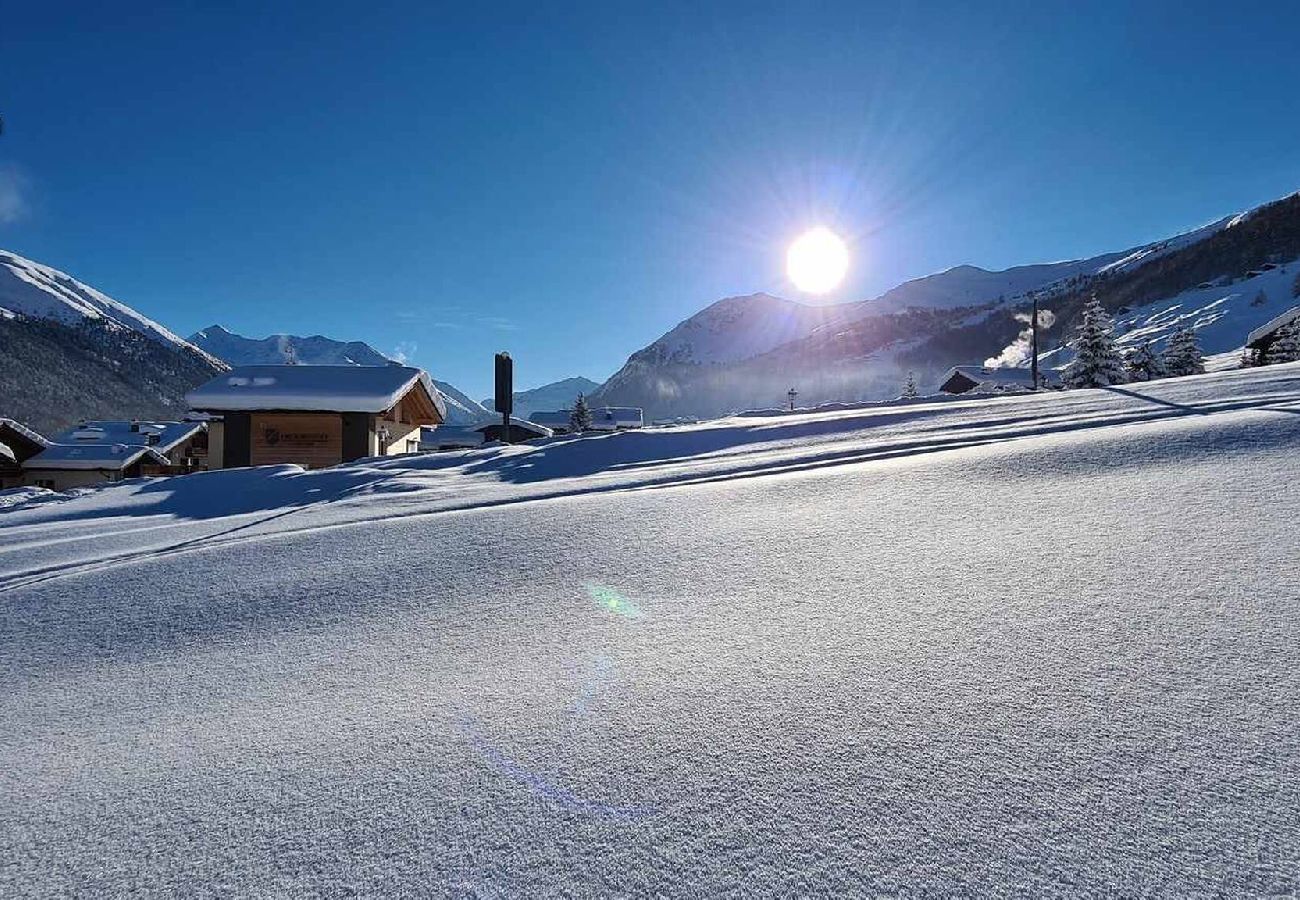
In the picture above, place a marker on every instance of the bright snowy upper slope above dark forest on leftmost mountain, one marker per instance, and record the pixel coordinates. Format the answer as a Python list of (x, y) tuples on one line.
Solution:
[(32, 289)]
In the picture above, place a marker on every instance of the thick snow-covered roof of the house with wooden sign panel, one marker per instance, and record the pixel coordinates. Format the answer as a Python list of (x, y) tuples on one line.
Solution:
[(317, 388)]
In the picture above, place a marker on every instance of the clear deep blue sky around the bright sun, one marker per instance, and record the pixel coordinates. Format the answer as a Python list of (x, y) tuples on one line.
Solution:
[(569, 181)]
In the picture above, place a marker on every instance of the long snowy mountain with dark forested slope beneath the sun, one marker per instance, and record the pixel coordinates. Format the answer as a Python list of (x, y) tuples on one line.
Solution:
[(749, 352)]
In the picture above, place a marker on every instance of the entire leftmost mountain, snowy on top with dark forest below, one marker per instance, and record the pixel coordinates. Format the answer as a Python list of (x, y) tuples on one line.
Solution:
[(70, 352)]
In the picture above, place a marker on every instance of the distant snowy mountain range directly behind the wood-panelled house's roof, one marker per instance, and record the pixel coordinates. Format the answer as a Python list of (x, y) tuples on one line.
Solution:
[(319, 351)]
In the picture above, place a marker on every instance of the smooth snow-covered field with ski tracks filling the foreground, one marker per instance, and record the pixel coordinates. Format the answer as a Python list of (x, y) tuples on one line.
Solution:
[(1037, 646)]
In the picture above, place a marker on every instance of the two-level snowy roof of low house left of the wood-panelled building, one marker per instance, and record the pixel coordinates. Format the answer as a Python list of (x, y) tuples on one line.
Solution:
[(114, 444)]
